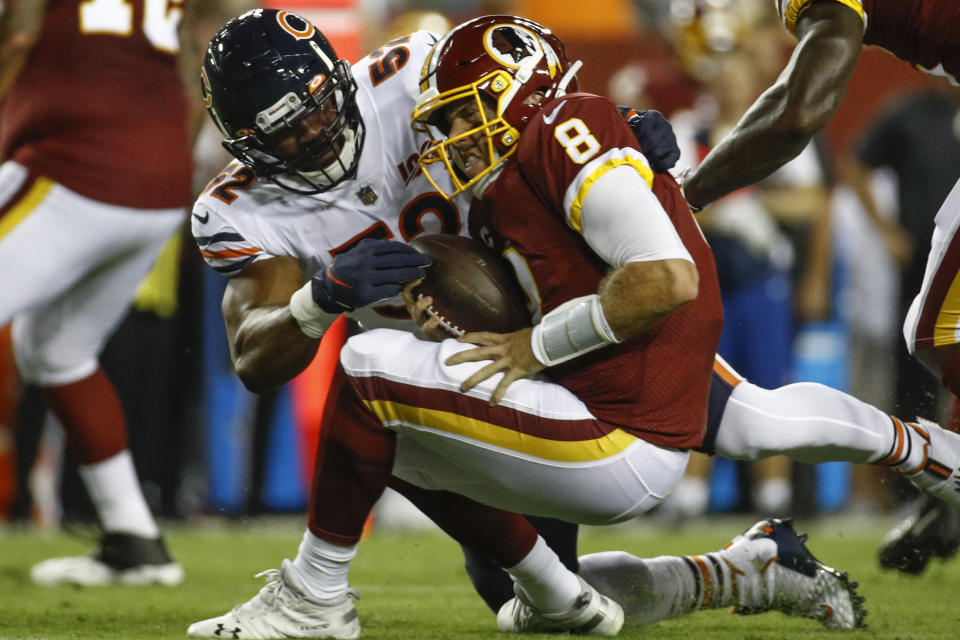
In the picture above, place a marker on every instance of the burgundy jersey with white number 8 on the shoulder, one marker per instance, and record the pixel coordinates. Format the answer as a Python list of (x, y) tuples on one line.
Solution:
[(655, 385)]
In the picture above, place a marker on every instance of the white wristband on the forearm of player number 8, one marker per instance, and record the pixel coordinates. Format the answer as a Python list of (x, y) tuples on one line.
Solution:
[(574, 328)]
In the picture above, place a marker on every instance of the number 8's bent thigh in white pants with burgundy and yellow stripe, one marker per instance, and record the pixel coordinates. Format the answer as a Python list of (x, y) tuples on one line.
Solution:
[(539, 452)]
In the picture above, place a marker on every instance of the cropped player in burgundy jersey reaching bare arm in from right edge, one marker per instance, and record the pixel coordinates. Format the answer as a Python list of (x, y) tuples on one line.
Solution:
[(802, 101)]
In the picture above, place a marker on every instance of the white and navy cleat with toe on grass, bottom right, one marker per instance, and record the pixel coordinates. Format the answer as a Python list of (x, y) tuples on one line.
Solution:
[(780, 574)]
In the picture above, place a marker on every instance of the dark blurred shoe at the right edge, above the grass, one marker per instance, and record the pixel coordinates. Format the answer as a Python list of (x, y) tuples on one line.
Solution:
[(932, 529)]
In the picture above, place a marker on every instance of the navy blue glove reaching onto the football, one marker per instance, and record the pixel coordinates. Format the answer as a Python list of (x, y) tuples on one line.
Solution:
[(371, 271)]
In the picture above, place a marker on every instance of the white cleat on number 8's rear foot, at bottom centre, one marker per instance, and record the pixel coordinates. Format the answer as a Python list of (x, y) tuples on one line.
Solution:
[(592, 614)]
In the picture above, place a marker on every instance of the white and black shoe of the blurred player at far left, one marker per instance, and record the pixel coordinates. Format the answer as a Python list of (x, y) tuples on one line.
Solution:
[(121, 558)]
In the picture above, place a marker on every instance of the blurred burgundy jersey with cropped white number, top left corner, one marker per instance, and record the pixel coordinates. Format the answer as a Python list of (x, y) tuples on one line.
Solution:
[(99, 106)]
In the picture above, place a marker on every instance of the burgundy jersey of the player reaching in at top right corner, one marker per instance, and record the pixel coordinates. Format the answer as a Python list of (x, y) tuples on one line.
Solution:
[(925, 33)]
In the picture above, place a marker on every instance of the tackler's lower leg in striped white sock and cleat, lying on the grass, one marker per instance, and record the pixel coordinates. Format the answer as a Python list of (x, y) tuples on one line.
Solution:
[(767, 568)]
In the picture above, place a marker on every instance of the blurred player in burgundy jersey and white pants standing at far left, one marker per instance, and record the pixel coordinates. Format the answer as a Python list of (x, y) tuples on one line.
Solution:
[(95, 180)]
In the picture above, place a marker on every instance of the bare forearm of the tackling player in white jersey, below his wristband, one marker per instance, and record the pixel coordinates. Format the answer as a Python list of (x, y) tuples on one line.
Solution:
[(269, 349)]
